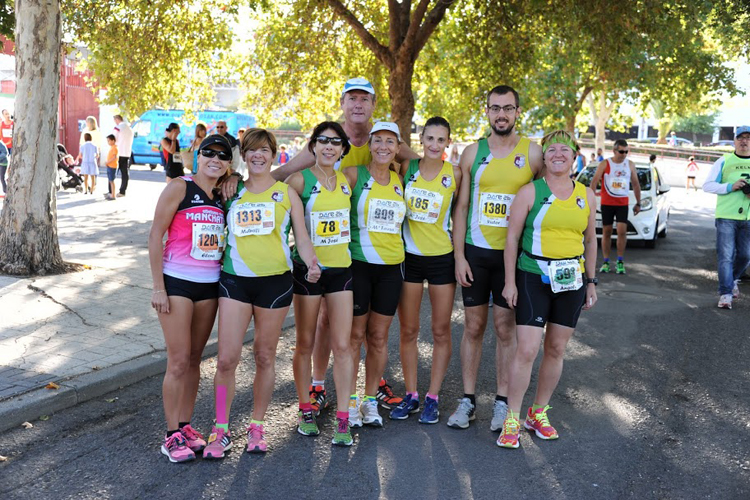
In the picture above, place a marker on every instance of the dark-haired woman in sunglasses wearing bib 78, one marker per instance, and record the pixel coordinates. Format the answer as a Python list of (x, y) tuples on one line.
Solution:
[(325, 194)]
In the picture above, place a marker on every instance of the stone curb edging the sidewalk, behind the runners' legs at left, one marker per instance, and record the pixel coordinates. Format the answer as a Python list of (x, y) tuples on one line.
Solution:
[(31, 405)]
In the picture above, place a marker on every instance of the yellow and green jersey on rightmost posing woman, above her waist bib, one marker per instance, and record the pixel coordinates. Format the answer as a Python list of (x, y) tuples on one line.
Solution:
[(554, 228)]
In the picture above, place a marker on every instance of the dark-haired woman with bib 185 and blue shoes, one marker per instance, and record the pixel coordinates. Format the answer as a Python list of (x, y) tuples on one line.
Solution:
[(430, 186)]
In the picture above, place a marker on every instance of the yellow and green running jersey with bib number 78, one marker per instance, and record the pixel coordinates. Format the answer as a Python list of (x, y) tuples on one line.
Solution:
[(327, 219)]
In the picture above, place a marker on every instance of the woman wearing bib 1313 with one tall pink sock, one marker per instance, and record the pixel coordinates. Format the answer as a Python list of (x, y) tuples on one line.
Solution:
[(256, 283)]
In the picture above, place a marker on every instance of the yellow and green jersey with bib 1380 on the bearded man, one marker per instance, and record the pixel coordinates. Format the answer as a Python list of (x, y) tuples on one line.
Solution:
[(493, 184)]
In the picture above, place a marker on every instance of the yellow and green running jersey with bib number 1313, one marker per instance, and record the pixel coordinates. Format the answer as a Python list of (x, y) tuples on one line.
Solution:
[(258, 239)]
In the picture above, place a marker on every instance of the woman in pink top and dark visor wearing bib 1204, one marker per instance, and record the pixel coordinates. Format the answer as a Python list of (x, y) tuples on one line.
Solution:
[(185, 273)]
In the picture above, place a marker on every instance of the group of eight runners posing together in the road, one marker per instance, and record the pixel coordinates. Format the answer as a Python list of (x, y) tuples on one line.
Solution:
[(372, 221)]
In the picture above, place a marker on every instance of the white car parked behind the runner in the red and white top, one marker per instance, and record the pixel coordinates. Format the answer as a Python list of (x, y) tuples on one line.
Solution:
[(653, 219)]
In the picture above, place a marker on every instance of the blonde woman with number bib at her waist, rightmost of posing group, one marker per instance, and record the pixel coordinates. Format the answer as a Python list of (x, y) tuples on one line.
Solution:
[(550, 282)]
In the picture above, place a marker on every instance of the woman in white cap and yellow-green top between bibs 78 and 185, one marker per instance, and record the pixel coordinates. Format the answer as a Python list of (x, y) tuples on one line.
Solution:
[(377, 212)]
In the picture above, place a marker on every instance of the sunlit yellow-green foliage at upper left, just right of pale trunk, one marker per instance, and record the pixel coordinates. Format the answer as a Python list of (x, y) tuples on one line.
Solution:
[(153, 52)]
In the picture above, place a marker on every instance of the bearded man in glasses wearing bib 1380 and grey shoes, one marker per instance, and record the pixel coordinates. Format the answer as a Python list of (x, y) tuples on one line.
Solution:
[(496, 168)]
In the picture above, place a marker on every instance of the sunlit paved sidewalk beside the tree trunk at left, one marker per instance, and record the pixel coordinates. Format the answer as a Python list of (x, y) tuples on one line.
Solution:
[(92, 331)]
